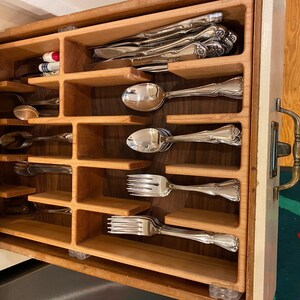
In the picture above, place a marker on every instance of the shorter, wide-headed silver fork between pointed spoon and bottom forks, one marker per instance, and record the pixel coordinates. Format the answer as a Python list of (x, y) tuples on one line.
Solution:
[(148, 185)]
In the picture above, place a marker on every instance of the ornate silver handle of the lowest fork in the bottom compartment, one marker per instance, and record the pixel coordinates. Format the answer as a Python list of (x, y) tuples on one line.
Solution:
[(226, 241)]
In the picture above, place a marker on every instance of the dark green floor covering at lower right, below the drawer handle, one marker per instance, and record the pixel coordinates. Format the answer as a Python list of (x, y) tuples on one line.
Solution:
[(288, 269)]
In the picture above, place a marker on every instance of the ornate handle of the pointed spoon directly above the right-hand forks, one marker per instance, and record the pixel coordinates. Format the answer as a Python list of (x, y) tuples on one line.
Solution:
[(228, 134)]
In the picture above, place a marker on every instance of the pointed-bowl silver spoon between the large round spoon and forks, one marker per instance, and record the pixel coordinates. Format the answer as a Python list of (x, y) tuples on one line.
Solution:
[(151, 140)]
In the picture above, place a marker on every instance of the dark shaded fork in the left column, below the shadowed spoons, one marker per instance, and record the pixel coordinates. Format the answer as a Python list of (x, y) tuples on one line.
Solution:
[(25, 168)]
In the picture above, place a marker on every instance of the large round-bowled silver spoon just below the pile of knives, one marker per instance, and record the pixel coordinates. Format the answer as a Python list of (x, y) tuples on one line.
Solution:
[(150, 96)]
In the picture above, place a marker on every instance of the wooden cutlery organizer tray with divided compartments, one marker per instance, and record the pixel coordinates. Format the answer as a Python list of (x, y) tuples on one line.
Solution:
[(91, 107)]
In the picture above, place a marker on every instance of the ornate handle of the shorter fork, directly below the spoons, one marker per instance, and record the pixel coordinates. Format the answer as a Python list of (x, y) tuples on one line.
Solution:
[(229, 189)]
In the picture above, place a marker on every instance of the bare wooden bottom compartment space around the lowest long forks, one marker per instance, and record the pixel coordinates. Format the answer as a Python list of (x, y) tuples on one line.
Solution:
[(174, 256)]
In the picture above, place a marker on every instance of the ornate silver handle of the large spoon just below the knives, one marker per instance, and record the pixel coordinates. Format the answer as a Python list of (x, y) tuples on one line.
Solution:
[(232, 88)]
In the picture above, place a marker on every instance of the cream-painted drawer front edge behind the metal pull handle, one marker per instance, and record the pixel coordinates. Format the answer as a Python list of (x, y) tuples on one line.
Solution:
[(271, 83)]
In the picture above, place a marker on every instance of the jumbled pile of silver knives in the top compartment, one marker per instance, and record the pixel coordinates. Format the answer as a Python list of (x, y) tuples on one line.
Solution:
[(194, 38)]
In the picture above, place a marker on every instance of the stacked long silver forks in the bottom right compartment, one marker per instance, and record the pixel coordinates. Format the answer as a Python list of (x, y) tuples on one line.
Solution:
[(148, 226)]
